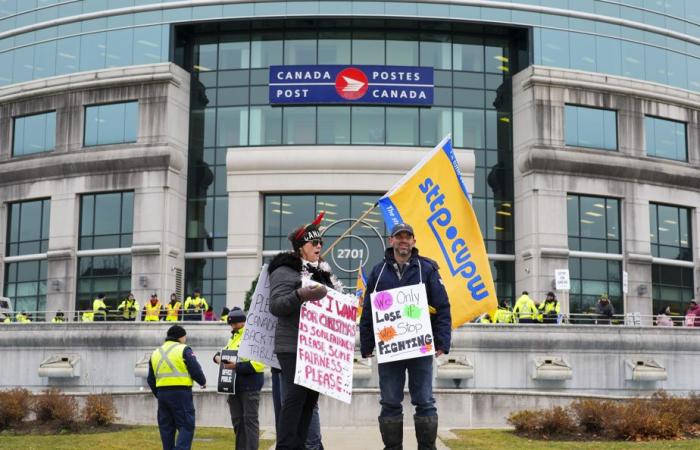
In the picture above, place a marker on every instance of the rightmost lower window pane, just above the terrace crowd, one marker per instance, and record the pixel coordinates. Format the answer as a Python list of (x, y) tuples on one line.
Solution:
[(671, 287)]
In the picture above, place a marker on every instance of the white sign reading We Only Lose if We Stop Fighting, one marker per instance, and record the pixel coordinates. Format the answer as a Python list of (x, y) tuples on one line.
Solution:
[(402, 323)]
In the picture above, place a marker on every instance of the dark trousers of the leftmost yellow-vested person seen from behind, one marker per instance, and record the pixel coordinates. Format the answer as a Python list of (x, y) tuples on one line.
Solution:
[(176, 413)]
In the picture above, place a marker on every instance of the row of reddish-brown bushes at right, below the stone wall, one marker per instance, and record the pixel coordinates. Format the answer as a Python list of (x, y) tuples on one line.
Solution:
[(660, 417)]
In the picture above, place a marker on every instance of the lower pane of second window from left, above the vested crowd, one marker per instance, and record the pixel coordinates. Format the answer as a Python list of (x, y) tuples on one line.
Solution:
[(109, 275)]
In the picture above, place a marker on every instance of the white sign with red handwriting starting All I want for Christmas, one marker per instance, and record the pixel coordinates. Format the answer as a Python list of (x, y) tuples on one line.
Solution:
[(326, 344)]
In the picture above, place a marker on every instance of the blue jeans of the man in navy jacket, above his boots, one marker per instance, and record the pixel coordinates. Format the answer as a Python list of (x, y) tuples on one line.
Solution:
[(392, 378)]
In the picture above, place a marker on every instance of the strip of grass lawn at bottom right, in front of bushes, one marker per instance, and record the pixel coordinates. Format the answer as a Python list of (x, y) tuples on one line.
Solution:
[(504, 439)]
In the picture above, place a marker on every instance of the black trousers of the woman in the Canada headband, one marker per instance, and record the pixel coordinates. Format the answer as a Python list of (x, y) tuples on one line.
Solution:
[(298, 404)]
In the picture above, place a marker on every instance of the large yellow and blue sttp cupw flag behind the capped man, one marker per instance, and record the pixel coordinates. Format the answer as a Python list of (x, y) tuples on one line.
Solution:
[(433, 199)]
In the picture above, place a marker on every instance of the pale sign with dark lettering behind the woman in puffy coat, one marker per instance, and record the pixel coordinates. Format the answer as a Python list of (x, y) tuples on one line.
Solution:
[(258, 341)]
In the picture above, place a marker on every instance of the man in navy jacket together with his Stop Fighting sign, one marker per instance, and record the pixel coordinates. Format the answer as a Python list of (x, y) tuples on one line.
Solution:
[(404, 268)]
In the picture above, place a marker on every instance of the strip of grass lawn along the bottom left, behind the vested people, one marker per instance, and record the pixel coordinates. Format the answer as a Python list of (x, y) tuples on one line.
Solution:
[(136, 438)]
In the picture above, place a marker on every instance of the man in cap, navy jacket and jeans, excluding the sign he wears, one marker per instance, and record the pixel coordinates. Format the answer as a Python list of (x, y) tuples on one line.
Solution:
[(403, 266)]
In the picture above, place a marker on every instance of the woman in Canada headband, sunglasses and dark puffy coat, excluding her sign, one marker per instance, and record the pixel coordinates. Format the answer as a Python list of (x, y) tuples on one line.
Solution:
[(287, 270)]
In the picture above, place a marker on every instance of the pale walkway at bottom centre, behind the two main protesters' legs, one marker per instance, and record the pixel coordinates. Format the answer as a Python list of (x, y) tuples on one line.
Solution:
[(363, 438)]
